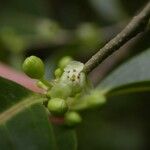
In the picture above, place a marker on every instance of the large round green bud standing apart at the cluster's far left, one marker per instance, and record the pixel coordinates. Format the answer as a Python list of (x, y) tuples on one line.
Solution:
[(33, 67)]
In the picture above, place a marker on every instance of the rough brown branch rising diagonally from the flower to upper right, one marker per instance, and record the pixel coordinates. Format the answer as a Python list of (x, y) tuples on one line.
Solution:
[(137, 25)]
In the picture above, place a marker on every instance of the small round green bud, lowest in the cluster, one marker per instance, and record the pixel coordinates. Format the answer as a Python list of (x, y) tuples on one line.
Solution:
[(72, 119)]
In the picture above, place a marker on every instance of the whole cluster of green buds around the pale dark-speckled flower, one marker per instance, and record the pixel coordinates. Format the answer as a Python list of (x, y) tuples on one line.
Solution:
[(69, 92)]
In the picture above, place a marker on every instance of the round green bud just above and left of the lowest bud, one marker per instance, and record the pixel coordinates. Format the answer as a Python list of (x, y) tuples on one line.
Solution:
[(57, 106)]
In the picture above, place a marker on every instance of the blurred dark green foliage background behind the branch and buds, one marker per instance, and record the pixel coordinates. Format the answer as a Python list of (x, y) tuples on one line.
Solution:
[(51, 29)]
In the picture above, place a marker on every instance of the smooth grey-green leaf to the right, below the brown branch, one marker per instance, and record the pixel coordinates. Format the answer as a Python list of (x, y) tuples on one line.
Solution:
[(133, 75)]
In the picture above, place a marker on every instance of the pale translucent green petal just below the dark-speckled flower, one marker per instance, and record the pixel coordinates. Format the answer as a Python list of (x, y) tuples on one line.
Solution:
[(60, 90)]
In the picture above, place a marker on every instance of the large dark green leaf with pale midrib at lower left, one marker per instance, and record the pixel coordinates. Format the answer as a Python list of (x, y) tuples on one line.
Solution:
[(24, 123)]
